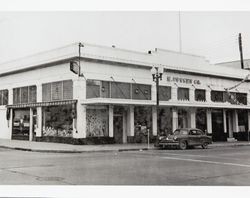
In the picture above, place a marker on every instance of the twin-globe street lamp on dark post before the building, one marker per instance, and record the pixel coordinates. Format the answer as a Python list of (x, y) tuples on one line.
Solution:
[(157, 76)]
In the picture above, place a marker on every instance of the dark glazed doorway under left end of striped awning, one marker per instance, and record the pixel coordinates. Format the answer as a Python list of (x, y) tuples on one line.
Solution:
[(21, 124)]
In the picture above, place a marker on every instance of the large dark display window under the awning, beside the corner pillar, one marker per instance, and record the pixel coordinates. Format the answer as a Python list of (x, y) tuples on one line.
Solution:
[(58, 121)]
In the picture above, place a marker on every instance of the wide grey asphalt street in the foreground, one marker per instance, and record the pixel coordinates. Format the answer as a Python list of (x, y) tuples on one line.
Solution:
[(214, 166)]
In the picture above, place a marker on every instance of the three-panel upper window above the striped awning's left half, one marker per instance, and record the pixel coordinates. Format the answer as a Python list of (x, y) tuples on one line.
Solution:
[(24, 95)]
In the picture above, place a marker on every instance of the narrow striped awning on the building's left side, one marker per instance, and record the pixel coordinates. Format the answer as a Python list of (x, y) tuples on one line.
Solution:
[(42, 104)]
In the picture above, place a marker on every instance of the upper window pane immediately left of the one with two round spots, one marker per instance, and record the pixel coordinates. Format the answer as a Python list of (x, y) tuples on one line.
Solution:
[(120, 90)]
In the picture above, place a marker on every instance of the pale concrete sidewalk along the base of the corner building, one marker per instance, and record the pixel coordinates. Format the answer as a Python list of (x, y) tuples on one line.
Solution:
[(68, 148)]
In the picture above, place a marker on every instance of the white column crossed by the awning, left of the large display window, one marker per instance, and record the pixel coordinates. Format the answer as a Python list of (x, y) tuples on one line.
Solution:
[(39, 111)]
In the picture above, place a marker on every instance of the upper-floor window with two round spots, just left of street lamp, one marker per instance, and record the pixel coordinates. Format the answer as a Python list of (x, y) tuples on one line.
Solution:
[(141, 92)]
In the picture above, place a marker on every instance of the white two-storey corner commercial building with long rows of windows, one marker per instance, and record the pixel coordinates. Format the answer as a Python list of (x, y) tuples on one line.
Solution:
[(114, 101)]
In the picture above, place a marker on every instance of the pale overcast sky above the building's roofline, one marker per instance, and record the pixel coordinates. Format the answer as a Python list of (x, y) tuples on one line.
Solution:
[(210, 34)]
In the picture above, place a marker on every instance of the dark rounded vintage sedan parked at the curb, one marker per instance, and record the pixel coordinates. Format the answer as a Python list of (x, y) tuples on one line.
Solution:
[(183, 138)]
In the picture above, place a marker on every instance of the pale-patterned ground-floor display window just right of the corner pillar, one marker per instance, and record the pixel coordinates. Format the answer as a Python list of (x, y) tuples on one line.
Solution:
[(97, 121)]
